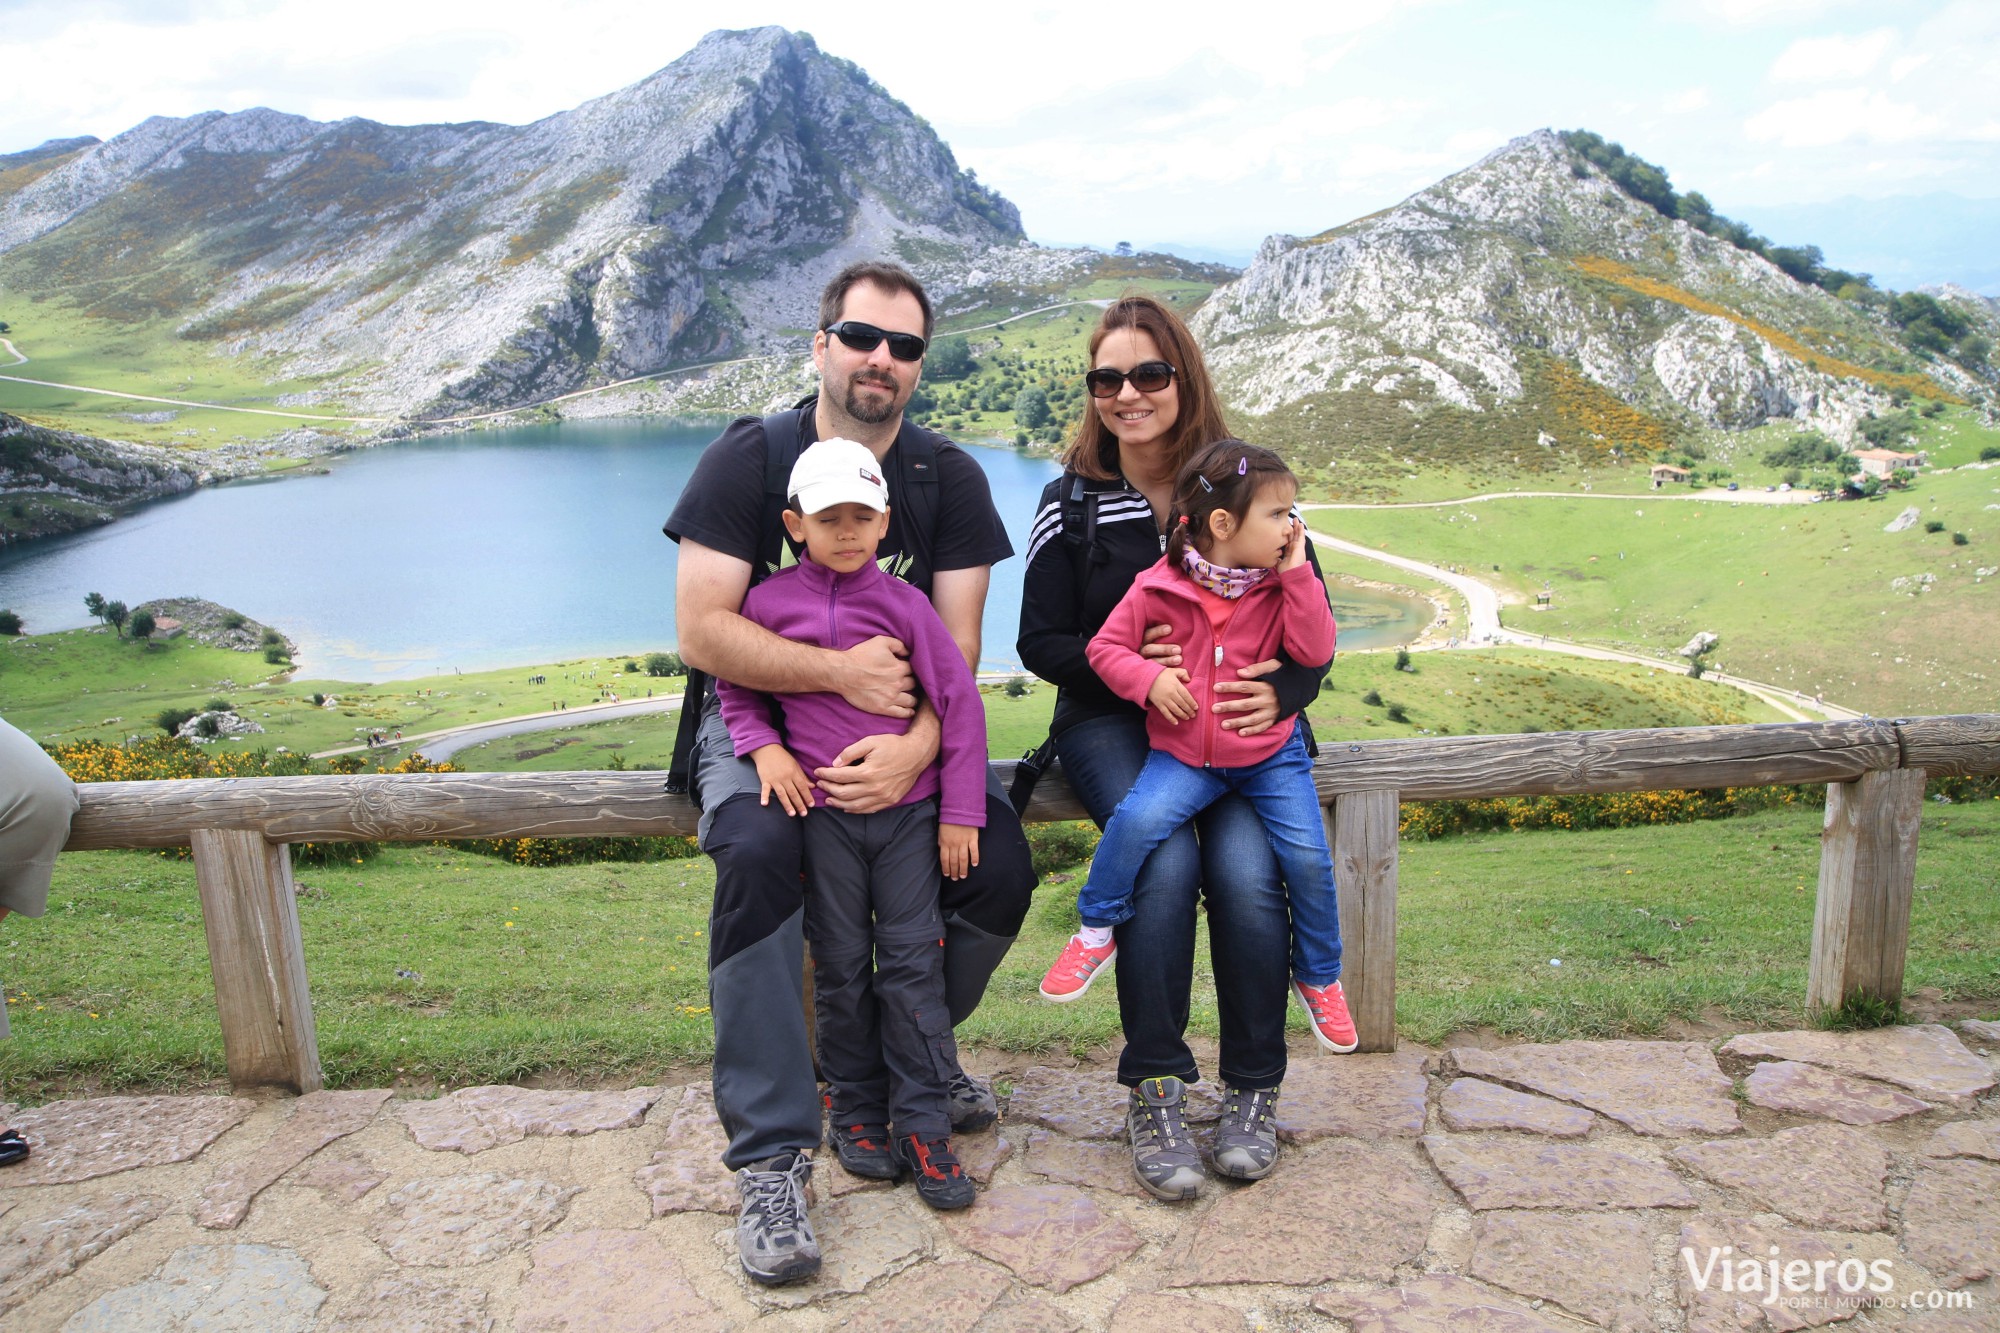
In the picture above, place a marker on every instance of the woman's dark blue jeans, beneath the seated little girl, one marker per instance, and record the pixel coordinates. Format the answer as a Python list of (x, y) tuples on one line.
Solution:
[(1249, 934)]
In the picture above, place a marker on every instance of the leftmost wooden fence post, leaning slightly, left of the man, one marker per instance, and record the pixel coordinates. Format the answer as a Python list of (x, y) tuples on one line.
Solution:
[(255, 954)]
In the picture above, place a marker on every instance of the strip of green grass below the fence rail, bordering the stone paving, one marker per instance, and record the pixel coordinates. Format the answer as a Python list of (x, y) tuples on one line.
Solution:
[(603, 972)]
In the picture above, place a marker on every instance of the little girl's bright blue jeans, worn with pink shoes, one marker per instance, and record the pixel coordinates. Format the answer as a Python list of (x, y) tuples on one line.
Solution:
[(1169, 794)]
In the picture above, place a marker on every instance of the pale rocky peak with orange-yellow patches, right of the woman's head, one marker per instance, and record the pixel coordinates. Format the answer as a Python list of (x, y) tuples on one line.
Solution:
[(1533, 291)]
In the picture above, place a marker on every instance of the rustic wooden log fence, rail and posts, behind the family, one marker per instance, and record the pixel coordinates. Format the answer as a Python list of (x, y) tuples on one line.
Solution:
[(1875, 774)]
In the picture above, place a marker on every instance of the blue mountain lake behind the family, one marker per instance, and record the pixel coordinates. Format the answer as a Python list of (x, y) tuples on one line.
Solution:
[(477, 551)]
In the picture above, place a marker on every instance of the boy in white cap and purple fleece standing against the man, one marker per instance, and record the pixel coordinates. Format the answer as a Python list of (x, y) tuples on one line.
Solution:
[(871, 880)]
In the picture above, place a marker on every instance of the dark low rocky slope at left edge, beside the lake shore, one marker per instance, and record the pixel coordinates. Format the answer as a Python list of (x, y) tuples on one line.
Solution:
[(55, 481)]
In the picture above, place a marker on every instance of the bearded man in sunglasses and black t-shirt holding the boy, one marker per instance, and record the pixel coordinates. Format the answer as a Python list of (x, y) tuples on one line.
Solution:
[(945, 535)]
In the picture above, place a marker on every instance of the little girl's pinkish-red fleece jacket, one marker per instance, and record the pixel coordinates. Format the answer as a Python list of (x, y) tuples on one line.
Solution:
[(1279, 611)]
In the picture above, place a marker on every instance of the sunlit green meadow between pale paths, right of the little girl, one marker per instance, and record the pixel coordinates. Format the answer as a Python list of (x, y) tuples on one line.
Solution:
[(1801, 595)]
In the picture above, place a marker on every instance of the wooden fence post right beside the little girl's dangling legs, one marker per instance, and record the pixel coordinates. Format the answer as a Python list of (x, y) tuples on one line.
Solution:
[(1363, 834)]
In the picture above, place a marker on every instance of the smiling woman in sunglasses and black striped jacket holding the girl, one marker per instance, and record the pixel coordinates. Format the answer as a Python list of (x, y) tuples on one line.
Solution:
[(1095, 531)]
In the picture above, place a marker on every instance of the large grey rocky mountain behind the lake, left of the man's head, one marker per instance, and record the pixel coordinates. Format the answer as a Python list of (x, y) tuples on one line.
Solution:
[(457, 267)]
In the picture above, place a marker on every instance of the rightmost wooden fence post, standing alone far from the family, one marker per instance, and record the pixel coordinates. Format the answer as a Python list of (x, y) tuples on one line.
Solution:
[(1861, 924)]
